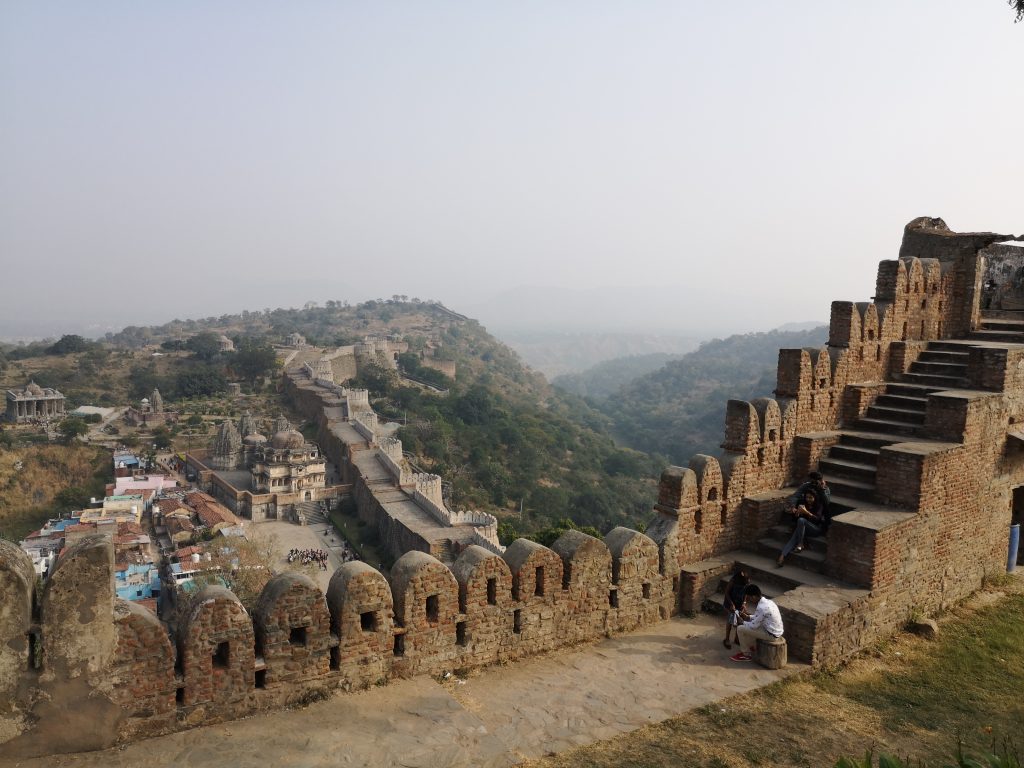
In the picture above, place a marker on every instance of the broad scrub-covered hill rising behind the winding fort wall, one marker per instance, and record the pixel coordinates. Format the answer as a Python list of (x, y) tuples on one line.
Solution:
[(502, 439)]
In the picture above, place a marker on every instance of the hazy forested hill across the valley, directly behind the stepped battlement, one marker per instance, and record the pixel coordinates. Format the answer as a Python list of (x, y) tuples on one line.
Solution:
[(679, 410)]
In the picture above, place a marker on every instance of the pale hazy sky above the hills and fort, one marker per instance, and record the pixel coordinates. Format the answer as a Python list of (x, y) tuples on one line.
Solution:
[(684, 165)]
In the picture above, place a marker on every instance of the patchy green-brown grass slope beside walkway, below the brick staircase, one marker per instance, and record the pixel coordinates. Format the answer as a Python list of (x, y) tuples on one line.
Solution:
[(908, 697)]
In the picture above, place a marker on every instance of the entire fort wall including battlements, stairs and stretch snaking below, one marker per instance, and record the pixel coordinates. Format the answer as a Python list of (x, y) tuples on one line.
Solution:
[(914, 408)]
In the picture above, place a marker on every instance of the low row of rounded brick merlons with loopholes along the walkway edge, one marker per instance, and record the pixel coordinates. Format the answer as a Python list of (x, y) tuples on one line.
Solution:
[(225, 663)]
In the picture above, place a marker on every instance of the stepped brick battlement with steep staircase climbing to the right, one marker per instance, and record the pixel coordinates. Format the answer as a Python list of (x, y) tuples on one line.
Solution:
[(910, 394)]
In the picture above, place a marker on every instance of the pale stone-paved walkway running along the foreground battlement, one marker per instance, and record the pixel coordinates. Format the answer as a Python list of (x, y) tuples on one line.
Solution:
[(500, 716)]
